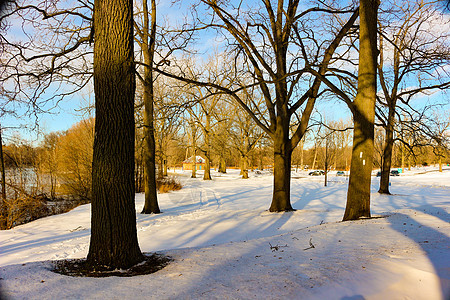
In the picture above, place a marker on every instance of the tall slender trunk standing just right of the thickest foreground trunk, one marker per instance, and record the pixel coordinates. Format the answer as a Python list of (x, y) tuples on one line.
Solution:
[(151, 198)]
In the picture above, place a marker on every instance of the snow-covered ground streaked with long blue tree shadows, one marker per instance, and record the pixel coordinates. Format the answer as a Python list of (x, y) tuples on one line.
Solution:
[(226, 245)]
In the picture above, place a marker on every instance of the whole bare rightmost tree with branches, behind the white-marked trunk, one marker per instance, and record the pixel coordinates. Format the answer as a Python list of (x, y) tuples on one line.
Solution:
[(417, 66)]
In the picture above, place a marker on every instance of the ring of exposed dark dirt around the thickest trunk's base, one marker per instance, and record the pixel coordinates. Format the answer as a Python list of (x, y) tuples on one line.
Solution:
[(80, 268)]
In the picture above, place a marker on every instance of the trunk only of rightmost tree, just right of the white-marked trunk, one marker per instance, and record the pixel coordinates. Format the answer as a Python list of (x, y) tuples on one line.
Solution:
[(387, 155)]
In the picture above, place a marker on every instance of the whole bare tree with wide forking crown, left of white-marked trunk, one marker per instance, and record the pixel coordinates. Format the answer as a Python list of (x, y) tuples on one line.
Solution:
[(268, 44)]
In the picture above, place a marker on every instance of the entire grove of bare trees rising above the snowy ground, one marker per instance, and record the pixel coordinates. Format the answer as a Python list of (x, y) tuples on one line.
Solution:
[(239, 83)]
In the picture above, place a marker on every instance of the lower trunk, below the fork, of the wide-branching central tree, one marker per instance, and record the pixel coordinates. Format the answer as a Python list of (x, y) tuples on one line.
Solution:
[(281, 172)]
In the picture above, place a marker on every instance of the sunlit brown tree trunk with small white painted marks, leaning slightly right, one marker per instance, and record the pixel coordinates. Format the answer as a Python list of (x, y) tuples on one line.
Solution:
[(358, 196)]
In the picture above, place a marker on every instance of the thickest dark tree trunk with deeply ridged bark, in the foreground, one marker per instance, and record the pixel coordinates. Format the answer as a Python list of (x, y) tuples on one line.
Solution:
[(113, 221)]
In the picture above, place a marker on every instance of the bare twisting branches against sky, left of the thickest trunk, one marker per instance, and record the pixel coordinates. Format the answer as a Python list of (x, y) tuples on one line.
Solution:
[(46, 54)]
